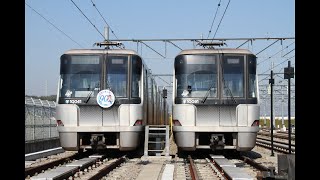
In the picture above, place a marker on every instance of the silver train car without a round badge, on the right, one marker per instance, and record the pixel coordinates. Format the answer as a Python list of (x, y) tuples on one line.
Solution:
[(215, 99)]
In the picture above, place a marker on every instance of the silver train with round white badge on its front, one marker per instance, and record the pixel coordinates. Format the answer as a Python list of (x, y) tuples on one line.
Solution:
[(105, 97)]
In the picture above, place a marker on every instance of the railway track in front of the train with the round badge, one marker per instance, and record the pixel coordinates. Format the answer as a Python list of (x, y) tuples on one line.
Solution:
[(78, 166)]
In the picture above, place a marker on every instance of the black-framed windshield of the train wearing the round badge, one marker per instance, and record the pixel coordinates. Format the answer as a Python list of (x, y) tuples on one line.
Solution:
[(82, 76)]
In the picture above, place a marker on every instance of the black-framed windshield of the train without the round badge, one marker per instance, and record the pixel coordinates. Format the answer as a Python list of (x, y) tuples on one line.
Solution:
[(220, 78)]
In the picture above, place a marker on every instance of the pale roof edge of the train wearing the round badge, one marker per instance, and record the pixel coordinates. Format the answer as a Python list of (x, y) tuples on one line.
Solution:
[(101, 51)]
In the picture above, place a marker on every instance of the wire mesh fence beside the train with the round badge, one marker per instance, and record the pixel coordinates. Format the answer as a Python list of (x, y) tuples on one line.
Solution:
[(39, 121)]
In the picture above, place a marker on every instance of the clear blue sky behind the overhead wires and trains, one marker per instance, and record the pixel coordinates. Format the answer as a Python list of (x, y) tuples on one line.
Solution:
[(144, 19)]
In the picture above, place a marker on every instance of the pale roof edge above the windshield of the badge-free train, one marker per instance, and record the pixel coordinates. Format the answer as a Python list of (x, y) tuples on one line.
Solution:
[(215, 51)]
